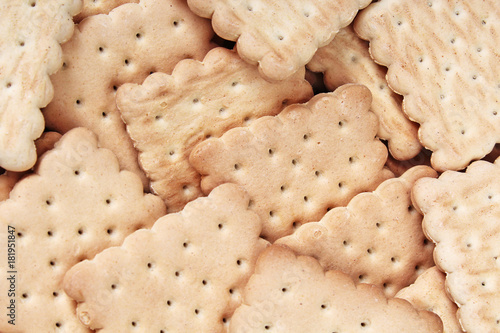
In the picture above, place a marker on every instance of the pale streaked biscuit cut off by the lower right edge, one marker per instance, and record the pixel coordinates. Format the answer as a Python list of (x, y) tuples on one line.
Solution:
[(462, 216)]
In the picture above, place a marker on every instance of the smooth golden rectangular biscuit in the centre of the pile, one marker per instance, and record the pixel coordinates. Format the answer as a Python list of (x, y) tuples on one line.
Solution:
[(296, 165)]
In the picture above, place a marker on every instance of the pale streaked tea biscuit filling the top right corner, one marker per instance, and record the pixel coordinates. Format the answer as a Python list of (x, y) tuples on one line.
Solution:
[(448, 72)]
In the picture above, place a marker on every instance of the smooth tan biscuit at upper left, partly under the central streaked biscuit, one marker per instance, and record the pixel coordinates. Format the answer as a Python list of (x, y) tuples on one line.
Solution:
[(109, 50)]
